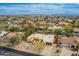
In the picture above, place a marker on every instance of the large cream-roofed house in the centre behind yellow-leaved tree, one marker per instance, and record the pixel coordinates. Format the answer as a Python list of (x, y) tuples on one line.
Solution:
[(47, 38)]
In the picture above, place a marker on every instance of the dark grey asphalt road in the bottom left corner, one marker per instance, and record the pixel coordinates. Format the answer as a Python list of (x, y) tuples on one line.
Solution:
[(12, 52)]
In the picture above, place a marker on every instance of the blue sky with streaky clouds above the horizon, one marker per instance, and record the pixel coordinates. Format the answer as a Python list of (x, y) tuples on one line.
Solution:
[(39, 8)]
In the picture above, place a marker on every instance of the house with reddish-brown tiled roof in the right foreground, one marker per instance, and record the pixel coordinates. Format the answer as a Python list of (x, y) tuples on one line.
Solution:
[(68, 42)]
